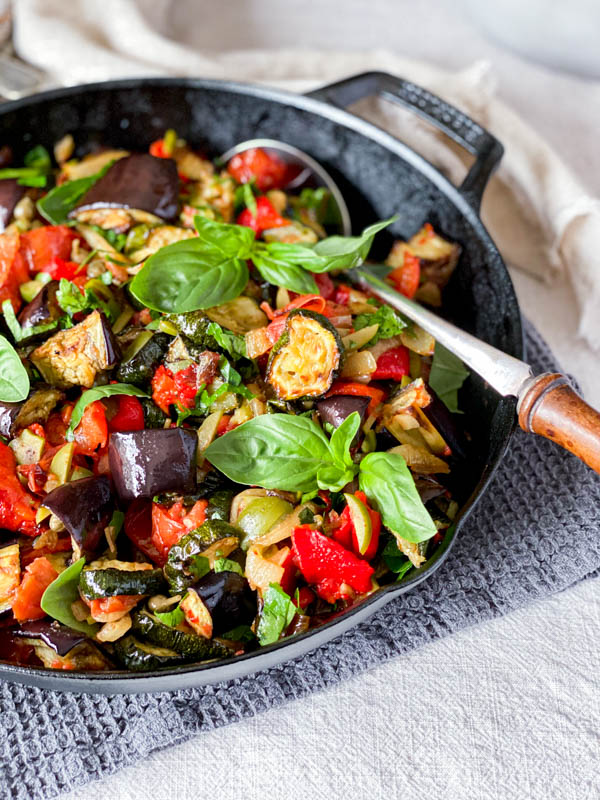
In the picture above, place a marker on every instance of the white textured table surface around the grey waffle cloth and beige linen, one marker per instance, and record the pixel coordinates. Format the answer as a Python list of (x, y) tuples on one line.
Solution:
[(510, 708)]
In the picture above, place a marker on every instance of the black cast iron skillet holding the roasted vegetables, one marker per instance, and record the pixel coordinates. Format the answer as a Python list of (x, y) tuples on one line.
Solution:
[(379, 176)]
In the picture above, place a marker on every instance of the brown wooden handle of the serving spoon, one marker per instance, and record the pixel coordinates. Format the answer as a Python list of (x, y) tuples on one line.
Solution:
[(550, 407)]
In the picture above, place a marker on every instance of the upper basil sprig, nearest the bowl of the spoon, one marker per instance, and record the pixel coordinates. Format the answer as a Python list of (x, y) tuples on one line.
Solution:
[(211, 270)]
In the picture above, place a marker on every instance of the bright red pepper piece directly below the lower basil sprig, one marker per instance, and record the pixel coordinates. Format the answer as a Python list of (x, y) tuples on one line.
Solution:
[(325, 564)]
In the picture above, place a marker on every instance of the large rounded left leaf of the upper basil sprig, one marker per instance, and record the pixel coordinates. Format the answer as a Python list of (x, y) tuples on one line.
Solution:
[(189, 275)]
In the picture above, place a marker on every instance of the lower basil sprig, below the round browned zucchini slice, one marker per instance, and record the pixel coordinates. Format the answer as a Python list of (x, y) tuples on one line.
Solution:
[(282, 451)]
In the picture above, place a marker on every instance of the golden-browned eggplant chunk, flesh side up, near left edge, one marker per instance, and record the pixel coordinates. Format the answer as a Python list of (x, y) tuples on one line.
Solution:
[(75, 356)]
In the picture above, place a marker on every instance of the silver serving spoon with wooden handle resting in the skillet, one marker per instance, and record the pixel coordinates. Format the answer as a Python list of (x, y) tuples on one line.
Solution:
[(547, 404)]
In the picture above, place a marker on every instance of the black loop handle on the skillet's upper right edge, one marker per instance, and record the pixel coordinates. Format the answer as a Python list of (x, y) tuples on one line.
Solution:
[(458, 126)]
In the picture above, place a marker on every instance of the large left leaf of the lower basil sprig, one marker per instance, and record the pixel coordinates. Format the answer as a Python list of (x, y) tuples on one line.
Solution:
[(275, 451)]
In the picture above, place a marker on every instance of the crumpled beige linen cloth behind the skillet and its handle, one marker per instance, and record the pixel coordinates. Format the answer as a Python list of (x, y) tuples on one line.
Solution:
[(537, 211)]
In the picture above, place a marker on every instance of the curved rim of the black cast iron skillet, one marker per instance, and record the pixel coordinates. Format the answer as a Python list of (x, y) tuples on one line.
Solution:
[(188, 676)]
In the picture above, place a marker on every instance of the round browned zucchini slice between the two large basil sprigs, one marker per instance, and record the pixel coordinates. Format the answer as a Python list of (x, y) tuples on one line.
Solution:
[(306, 359)]
